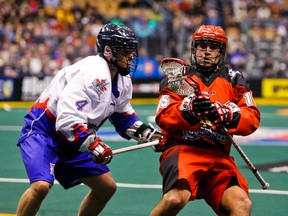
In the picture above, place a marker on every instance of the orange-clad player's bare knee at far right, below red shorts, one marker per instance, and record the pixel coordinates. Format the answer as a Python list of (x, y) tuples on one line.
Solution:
[(236, 201)]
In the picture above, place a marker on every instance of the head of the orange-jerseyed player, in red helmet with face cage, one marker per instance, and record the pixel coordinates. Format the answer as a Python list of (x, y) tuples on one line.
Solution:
[(208, 48)]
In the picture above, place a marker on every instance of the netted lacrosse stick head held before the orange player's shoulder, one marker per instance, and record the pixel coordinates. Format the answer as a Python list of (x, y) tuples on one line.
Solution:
[(175, 71)]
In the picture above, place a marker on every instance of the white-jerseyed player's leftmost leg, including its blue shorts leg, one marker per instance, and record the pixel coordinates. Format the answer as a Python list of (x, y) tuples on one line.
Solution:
[(39, 162)]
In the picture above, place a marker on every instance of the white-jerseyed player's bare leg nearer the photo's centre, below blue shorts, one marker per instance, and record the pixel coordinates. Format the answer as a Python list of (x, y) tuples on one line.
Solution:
[(102, 189)]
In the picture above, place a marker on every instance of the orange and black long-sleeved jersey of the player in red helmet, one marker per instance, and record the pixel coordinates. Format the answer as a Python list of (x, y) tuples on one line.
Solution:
[(223, 86)]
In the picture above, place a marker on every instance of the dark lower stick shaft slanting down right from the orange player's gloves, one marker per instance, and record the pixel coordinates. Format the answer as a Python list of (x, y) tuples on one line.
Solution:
[(264, 184)]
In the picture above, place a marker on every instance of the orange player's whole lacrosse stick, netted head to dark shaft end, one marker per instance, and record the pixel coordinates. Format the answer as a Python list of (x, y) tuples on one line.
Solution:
[(175, 71)]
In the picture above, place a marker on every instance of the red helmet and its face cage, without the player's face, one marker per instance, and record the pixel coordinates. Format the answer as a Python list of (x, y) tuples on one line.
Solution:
[(209, 34)]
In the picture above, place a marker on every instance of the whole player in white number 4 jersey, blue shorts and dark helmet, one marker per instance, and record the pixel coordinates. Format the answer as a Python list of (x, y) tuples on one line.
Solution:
[(59, 138)]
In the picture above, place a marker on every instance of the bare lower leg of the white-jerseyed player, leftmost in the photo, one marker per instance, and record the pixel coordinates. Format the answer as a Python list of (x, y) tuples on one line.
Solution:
[(32, 198)]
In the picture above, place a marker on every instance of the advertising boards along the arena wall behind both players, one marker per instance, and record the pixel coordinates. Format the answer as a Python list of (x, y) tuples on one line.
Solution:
[(145, 86)]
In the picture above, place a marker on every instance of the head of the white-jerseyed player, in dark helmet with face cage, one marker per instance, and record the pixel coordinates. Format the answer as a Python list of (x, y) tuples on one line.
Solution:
[(119, 47)]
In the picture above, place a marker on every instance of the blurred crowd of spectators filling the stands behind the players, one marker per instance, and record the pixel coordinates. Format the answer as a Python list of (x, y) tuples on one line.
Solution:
[(40, 37)]
